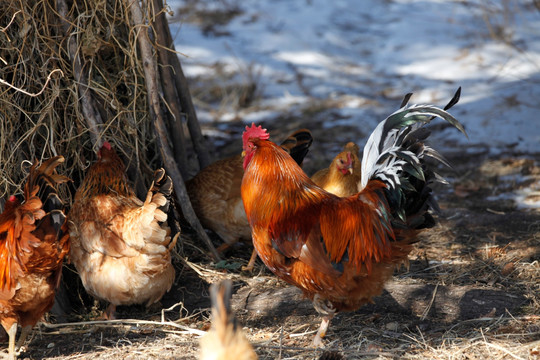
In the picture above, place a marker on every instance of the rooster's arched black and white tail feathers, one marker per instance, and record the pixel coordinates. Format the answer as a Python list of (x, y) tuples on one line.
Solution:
[(395, 154)]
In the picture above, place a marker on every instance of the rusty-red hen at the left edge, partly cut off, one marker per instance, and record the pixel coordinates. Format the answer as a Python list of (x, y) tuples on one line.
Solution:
[(33, 245)]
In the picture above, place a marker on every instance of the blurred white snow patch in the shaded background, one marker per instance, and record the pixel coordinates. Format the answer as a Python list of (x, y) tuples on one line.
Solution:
[(359, 49)]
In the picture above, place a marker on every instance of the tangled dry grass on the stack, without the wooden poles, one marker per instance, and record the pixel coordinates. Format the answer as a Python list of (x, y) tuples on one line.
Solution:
[(40, 95)]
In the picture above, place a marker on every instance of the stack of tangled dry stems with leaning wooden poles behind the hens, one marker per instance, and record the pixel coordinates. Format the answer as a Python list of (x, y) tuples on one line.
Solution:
[(76, 73)]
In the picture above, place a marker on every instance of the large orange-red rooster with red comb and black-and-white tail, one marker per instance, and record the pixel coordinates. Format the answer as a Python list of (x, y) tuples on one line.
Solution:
[(341, 250)]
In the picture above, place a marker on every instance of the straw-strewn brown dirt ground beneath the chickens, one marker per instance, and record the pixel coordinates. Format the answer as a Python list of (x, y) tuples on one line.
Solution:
[(471, 289)]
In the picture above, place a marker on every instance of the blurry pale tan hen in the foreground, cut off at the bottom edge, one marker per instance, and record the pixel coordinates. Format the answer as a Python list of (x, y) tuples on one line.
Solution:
[(225, 340)]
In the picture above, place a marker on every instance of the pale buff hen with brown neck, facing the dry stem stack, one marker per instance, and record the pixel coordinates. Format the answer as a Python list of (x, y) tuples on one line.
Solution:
[(121, 246)]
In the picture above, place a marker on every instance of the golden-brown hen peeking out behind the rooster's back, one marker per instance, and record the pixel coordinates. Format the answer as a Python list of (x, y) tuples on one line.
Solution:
[(343, 175)]
